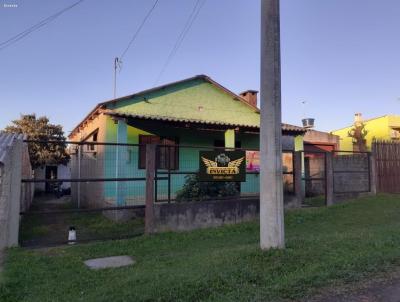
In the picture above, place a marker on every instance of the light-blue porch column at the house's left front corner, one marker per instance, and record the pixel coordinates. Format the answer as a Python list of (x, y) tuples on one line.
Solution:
[(120, 161)]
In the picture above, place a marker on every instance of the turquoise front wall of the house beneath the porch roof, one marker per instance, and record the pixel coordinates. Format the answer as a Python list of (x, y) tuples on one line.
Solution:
[(134, 192)]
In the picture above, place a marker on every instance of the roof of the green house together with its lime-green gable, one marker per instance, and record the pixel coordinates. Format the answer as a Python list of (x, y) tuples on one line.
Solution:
[(198, 100)]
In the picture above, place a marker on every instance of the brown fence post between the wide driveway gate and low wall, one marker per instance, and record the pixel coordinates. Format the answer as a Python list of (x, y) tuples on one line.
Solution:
[(150, 176)]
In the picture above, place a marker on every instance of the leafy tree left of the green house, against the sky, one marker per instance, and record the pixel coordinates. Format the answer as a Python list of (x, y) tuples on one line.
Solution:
[(39, 129)]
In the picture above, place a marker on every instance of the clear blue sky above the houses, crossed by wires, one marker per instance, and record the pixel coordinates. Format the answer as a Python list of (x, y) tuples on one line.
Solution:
[(341, 56)]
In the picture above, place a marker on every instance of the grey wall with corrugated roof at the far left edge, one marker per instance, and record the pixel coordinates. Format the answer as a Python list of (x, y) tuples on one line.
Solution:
[(13, 195)]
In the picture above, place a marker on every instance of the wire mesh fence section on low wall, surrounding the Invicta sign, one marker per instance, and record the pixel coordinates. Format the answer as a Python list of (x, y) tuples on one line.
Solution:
[(178, 166)]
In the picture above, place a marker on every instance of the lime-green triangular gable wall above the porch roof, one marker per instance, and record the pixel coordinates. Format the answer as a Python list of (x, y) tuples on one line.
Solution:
[(192, 100)]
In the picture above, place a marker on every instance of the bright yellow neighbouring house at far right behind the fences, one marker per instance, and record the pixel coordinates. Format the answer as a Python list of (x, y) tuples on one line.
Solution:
[(386, 127)]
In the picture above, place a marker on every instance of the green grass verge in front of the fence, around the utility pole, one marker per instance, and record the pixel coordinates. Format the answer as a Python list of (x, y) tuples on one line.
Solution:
[(324, 247)]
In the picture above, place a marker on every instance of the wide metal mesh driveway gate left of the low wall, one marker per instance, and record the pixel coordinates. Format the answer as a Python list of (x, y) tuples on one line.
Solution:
[(99, 193)]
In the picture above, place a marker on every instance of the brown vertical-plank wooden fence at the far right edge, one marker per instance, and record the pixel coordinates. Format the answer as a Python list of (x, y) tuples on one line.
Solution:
[(387, 159)]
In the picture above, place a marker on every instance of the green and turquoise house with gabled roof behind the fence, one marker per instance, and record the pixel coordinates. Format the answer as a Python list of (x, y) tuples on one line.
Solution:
[(185, 116)]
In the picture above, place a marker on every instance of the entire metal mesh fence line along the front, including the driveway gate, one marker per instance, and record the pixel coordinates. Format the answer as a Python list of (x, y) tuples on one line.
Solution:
[(100, 190)]
